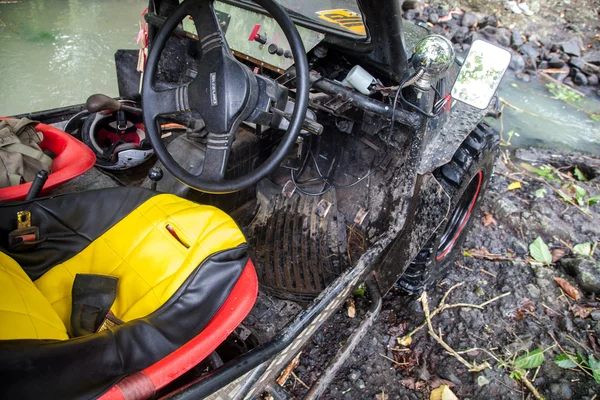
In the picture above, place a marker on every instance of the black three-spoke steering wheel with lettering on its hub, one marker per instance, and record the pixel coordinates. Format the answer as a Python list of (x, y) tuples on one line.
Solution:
[(224, 92)]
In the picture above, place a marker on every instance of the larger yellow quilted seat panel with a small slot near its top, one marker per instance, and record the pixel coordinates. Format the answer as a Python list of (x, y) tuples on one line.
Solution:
[(149, 261)]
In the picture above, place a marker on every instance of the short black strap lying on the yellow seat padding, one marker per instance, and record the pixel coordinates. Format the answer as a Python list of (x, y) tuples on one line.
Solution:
[(93, 295)]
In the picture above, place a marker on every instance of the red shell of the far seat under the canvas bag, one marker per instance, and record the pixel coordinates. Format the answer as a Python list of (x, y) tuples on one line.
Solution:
[(73, 158)]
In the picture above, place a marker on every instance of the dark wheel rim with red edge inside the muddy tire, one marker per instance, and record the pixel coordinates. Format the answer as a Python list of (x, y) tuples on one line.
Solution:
[(460, 216)]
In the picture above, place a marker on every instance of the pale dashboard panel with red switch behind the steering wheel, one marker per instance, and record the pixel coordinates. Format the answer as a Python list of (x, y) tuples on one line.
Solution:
[(257, 37)]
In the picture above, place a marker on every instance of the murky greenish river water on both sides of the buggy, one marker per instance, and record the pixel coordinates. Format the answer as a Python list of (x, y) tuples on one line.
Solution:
[(57, 52)]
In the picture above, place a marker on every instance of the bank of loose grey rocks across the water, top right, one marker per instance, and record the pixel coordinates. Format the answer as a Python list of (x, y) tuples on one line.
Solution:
[(561, 42)]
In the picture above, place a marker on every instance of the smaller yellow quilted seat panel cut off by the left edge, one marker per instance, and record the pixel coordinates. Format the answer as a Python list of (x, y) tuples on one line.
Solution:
[(24, 311)]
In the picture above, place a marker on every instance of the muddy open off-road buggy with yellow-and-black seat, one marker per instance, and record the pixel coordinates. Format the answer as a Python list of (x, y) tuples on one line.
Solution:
[(325, 130)]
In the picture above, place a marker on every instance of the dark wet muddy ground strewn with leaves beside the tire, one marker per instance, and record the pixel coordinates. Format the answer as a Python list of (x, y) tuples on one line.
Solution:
[(532, 316)]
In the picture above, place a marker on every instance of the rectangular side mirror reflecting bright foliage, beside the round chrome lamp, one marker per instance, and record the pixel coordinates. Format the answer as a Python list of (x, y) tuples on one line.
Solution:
[(480, 74)]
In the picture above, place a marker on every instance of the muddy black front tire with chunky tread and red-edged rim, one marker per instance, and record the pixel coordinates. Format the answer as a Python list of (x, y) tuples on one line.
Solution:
[(465, 178)]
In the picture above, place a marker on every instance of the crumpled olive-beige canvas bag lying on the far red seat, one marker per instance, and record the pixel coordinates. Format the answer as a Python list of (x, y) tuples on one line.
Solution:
[(20, 155)]
